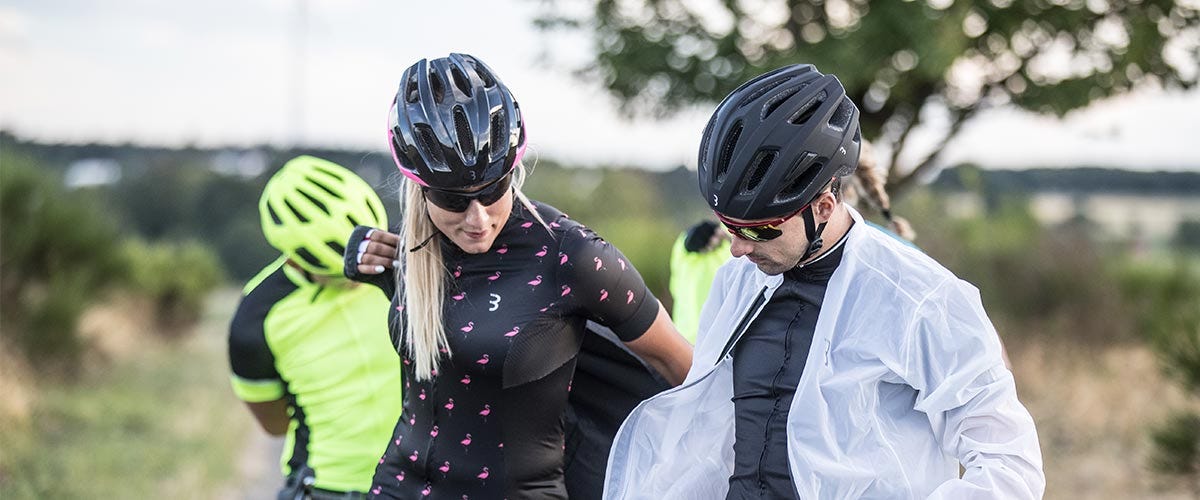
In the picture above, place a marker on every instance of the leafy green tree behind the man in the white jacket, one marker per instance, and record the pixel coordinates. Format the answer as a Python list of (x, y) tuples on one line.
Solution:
[(904, 63)]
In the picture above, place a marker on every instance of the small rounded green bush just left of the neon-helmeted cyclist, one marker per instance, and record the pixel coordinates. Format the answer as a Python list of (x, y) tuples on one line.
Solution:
[(177, 278)]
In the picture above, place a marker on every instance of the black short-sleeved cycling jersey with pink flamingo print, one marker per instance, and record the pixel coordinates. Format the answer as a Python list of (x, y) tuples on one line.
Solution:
[(489, 425)]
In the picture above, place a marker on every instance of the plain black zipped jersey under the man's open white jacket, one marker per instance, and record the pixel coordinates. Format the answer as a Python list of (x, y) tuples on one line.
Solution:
[(769, 363)]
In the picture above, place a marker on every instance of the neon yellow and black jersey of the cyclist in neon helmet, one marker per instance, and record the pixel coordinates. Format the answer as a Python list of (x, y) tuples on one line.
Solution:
[(327, 351)]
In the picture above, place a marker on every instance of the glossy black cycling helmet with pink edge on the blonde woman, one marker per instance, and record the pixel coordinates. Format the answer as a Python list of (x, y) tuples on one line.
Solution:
[(454, 125)]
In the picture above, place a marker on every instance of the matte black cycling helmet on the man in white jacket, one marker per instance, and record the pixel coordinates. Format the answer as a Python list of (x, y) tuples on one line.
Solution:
[(776, 142)]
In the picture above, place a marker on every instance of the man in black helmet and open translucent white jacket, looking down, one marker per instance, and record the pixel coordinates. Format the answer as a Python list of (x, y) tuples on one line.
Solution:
[(833, 362)]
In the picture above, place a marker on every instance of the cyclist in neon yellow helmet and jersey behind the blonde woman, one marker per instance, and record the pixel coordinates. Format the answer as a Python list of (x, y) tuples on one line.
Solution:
[(310, 350)]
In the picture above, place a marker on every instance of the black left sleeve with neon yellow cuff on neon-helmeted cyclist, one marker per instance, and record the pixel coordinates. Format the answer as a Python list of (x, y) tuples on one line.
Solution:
[(253, 364)]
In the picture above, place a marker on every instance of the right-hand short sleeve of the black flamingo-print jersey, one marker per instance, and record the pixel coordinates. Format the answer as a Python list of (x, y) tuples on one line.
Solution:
[(604, 286)]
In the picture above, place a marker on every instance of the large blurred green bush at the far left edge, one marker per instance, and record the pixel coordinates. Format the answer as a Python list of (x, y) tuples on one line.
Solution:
[(58, 252)]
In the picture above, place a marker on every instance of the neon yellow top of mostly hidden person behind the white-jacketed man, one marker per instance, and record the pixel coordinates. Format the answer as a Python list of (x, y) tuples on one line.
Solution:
[(692, 276)]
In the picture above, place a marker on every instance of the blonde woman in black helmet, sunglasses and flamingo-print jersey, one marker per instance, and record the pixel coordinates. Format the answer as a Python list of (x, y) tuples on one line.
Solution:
[(490, 298)]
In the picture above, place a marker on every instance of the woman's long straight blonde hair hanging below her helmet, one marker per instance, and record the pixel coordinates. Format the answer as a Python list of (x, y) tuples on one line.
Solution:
[(423, 275)]
